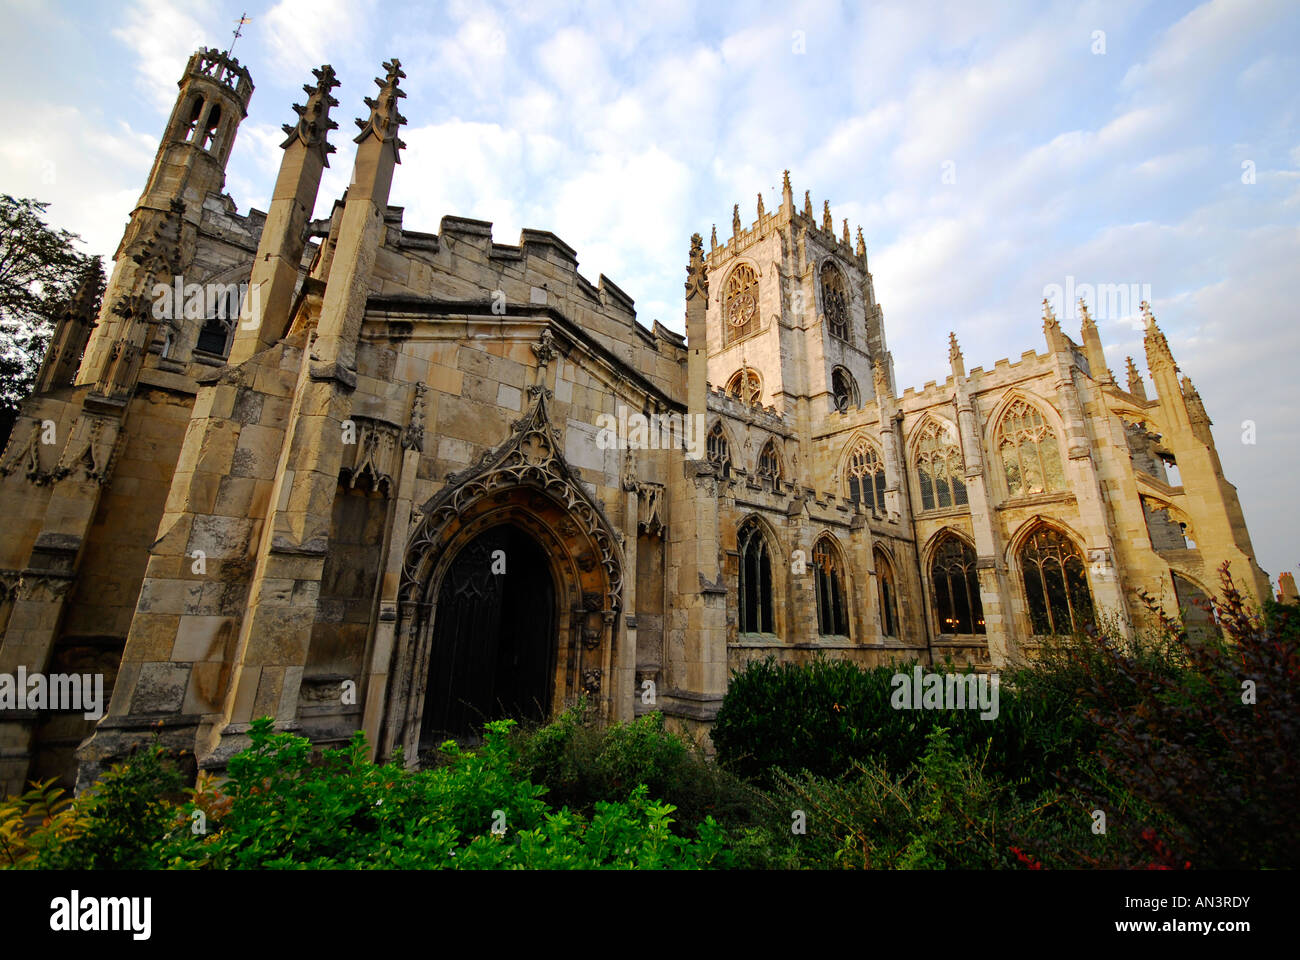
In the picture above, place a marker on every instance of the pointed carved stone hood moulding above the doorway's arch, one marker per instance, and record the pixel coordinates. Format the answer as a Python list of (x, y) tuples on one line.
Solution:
[(530, 457)]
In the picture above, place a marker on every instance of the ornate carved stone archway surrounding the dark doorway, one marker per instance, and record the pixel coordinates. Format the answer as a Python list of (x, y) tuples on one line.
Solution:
[(526, 483)]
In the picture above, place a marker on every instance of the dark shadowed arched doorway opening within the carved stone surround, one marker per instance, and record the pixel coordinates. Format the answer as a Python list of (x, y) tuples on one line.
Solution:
[(495, 641)]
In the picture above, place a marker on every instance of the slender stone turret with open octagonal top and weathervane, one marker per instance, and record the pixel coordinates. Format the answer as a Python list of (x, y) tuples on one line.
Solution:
[(161, 239)]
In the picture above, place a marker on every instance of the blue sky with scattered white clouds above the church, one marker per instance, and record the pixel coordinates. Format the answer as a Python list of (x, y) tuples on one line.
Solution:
[(990, 152)]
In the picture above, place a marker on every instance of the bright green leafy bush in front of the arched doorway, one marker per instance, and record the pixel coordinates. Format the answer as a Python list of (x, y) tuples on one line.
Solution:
[(279, 810)]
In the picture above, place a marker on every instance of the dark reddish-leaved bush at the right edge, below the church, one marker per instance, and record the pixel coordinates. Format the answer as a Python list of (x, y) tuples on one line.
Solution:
[(1185, 737)]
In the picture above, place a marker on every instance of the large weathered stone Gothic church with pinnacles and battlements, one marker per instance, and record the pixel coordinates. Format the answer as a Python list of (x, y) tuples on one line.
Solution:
[(359, 477)]
